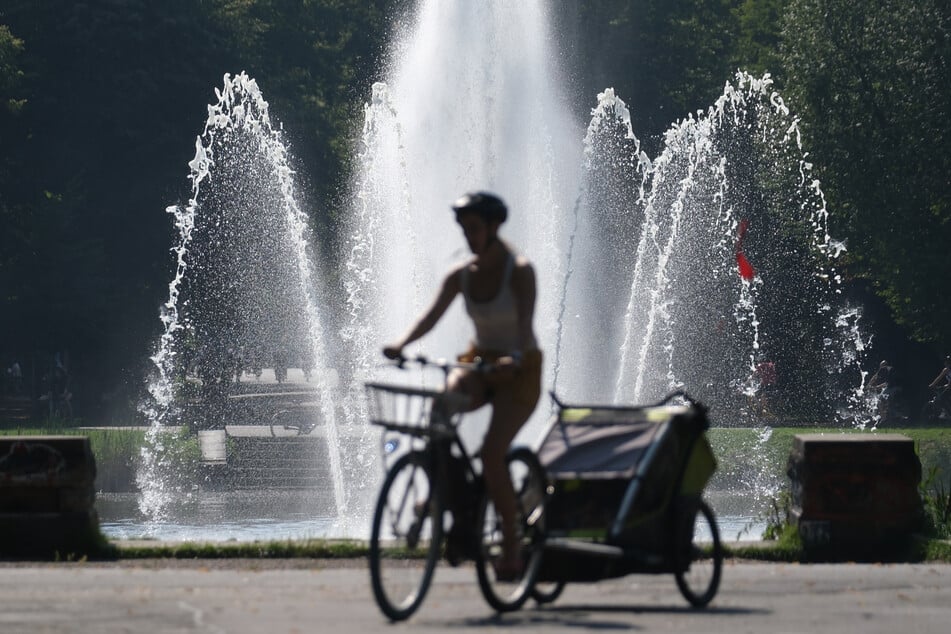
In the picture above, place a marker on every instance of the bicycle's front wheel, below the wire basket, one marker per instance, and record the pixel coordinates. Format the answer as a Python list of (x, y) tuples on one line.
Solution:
[(406, 537)]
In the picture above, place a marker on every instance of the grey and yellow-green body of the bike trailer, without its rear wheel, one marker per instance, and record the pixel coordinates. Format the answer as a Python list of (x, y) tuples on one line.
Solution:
[(626, 483)]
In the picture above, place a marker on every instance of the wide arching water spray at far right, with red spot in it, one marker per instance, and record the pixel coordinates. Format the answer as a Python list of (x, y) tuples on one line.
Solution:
[(730, 183)]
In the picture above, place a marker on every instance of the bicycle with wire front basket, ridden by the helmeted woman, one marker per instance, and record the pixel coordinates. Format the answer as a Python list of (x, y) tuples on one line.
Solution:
[(435, 480)]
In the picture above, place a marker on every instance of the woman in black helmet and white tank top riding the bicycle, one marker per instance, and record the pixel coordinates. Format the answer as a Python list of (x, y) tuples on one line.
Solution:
[(498, 287)]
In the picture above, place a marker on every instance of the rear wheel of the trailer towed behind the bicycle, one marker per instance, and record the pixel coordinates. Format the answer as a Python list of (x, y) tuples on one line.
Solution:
[(699, 580)]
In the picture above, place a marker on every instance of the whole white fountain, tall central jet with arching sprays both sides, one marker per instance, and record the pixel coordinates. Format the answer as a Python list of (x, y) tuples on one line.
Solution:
[(688, 270)]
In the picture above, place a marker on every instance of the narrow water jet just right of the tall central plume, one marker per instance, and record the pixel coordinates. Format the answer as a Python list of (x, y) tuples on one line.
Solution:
[(601, 255)]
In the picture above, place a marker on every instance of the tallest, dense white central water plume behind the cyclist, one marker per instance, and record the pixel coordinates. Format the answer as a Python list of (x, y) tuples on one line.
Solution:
[(473, 101)]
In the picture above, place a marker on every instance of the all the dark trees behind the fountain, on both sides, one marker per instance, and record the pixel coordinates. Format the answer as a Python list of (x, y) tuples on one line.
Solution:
[(100, 102)]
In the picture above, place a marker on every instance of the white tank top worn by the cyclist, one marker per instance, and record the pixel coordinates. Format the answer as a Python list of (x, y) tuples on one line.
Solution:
[(496, 320)]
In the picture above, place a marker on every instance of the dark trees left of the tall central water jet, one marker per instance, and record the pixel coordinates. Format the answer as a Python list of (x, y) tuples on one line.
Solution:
[(101, 104)]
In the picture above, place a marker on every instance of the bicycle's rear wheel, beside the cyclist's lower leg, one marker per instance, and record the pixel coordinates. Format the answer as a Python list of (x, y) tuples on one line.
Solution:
[(530, 483)]
